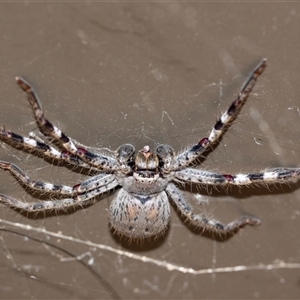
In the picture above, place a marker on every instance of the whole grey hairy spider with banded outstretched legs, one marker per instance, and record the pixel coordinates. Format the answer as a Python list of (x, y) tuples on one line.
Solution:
[(147, 179)]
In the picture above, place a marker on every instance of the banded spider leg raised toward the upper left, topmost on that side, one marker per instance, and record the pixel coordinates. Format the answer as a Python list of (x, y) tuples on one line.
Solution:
[(48, 129)]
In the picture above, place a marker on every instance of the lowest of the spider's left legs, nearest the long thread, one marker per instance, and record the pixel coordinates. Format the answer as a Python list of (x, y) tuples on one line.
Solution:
[(63, 204)]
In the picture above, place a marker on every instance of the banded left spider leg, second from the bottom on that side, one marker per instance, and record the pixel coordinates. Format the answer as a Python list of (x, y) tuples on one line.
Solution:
[(92, 183)]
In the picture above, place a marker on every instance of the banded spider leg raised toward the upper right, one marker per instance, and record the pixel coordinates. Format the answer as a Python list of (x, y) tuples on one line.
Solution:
[(221, 126)]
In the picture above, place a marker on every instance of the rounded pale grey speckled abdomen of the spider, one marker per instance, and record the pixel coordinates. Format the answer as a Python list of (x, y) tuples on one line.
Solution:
[(140, 216)]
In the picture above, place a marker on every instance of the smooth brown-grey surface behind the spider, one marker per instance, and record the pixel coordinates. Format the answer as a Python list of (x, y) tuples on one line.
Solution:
[(147, 73)]
